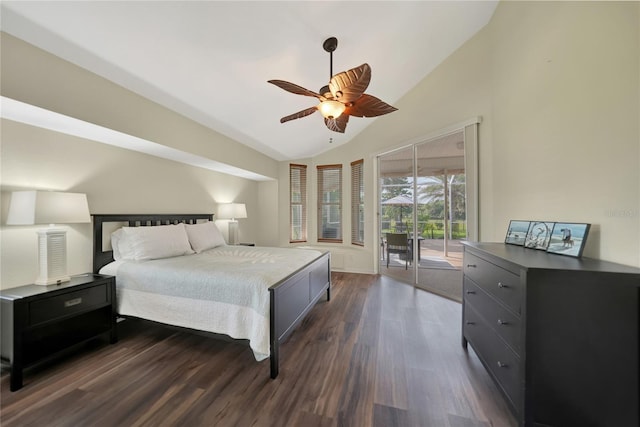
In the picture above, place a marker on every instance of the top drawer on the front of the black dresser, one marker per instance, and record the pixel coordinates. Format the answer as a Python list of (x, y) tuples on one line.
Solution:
[(502, 284)]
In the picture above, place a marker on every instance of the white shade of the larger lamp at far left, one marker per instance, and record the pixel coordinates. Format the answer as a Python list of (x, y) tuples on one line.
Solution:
[(47, 207)]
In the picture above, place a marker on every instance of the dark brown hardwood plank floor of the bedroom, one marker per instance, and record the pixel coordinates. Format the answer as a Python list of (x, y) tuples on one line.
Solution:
[(380, 353)]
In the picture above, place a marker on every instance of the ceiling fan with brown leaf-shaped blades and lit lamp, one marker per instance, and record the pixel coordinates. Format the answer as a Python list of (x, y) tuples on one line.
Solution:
[(343, 97)]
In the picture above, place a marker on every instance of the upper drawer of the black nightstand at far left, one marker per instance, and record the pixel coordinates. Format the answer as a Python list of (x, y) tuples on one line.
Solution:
[(66, 304)]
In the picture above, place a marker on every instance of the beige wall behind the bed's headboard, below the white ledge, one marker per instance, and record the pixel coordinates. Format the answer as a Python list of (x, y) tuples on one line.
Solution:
[(115, 181)]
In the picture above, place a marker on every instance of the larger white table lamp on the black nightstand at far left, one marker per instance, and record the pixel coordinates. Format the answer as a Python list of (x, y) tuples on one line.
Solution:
[(49, 207)]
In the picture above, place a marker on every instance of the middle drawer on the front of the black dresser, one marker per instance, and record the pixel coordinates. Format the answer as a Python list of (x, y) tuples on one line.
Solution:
[(501, 320)]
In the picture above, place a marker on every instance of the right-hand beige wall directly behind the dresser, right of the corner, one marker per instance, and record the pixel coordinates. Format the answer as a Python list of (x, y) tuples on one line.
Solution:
[(565, 119)]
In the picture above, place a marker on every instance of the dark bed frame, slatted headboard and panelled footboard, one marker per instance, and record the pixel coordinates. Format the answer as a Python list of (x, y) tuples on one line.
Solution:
[(291, 298)]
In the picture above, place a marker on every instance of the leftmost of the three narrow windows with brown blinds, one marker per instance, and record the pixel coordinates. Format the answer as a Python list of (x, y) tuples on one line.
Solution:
[(298, 203)]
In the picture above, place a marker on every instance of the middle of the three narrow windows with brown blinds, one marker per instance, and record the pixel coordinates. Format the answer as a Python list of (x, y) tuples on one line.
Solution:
[(330, 203)]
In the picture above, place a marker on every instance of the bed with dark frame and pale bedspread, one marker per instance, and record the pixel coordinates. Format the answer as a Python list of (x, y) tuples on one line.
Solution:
[(278, 294)]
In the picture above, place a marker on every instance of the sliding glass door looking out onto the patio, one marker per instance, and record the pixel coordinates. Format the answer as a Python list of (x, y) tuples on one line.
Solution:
[(428, 194)]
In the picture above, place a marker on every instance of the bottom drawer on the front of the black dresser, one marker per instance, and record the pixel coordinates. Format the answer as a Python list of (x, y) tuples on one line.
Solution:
[(502, 363)]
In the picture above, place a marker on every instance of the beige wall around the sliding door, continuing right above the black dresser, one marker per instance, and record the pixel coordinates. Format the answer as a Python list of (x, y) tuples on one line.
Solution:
[(557, 86)]
